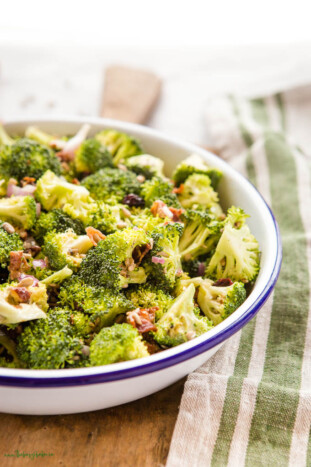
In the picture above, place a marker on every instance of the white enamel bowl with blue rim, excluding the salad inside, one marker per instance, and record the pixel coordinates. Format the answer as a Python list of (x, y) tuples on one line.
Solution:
[(39, 392)]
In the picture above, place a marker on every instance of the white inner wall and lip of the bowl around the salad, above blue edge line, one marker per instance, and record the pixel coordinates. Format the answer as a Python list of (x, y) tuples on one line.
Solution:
[(233, 189)]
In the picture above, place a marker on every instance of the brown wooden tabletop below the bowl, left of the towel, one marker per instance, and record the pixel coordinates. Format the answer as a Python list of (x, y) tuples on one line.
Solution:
[(135, 434)]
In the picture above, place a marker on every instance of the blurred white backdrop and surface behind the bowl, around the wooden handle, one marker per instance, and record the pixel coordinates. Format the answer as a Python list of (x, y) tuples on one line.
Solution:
[(53, 54)]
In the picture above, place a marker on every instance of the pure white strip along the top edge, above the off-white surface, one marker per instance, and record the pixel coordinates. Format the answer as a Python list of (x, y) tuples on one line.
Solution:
[(156, 22)]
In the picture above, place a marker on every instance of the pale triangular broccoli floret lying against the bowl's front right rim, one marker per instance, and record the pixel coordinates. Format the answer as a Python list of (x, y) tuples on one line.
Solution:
[(182, 322)]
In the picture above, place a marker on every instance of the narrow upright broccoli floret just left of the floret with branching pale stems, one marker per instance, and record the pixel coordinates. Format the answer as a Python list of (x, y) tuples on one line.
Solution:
[(164, 264)]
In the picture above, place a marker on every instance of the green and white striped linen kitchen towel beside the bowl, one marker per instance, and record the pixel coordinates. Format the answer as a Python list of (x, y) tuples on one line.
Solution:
[(251, 403)]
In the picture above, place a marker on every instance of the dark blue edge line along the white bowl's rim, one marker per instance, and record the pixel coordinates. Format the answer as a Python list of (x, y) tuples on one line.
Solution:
[(58, 382)]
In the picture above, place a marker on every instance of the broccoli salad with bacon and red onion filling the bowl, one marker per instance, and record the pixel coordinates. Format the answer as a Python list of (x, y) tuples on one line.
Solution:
[(104, 259)]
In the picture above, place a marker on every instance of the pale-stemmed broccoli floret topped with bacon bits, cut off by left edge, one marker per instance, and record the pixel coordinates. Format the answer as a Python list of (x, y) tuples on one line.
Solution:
[(20, 303)]
